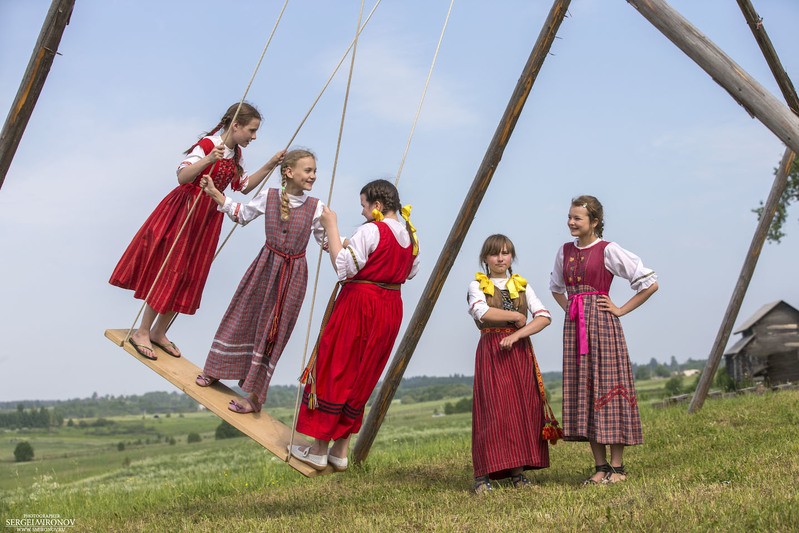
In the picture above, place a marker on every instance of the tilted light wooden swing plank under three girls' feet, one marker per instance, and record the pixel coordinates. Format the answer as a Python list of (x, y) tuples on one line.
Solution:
[(261, 427)]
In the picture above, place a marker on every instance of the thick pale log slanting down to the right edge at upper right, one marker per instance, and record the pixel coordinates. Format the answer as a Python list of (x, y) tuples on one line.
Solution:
[(741, 86)]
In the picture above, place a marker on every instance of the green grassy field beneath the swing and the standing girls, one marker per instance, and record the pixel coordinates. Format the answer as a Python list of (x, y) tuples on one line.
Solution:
[(734, 466)]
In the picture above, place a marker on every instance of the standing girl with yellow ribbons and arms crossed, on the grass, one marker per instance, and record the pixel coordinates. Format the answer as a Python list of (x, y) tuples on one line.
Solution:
[(508, 412)]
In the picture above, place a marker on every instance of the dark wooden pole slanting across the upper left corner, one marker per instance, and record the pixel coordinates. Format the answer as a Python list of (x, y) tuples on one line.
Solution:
[(39, 66)]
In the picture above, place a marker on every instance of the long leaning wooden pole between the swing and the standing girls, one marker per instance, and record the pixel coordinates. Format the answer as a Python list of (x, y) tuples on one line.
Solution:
[(459, 230)]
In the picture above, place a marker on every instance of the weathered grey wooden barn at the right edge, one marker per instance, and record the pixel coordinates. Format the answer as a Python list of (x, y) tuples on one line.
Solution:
[(769, 347)]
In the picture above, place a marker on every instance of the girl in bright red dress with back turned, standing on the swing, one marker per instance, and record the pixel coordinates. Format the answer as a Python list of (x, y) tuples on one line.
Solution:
[(356, 341)]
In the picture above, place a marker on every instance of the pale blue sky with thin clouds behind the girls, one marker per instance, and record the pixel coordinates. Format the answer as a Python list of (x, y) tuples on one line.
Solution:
[(617, 112)]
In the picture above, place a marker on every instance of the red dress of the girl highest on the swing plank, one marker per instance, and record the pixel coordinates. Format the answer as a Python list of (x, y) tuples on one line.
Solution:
[(180, 285)]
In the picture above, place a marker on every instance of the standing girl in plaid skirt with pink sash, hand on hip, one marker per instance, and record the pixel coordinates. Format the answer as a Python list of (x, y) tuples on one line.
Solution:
[(599, 400)]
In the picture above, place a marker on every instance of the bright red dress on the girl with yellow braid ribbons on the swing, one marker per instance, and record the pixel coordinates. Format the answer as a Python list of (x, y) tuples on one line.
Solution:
[(356, 342)]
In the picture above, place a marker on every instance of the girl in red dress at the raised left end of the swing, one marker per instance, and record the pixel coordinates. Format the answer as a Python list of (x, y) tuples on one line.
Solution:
[(179, 287)]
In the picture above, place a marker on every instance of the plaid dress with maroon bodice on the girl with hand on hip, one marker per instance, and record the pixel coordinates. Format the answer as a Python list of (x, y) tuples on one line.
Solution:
[(599, 399)]
